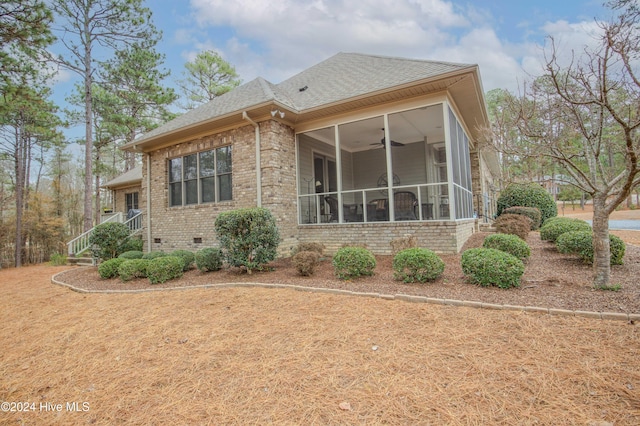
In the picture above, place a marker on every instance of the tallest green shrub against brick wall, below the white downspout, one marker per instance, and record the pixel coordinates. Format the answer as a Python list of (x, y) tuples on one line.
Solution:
[(249, 237)]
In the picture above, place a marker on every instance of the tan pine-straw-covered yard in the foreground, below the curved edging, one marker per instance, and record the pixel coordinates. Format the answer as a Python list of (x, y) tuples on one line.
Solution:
[(279, 356)]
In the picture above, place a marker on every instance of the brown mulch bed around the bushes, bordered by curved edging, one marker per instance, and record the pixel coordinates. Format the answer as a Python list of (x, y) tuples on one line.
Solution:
[(551, 280)]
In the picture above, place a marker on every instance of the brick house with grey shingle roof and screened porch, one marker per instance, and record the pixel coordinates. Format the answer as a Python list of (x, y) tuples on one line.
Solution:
[(317, 151)]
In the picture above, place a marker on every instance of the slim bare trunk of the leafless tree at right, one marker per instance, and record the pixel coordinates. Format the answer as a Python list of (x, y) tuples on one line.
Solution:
[(601, 244)]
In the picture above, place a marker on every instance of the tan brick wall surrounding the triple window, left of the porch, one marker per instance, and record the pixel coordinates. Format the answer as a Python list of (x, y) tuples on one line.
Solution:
[(176, 227)]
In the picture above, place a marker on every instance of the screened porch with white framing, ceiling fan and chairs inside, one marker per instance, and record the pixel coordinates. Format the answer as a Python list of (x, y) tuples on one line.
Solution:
[(403, 165)]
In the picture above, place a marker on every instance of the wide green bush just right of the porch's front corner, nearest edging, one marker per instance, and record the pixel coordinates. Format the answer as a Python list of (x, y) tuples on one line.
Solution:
[(491, 267)]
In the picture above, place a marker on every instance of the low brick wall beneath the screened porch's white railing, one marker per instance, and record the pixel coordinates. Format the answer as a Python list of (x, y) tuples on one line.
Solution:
[(441, 237)]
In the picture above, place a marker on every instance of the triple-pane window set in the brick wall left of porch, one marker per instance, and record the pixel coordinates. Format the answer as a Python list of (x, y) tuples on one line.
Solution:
[(199, 178)]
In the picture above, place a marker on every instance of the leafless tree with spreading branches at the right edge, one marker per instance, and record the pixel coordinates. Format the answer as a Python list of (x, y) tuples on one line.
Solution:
[(585, 116)]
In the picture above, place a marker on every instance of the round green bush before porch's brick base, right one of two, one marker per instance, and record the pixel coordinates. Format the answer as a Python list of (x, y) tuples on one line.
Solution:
[(417, 264)]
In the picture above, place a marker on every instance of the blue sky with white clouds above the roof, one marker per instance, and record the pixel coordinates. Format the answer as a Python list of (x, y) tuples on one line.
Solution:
[(276, 39)]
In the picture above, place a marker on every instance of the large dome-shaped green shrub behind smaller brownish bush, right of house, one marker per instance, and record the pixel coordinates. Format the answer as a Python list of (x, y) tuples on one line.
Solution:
[(528, 195)]
